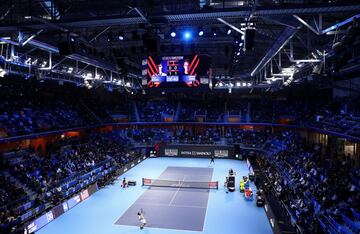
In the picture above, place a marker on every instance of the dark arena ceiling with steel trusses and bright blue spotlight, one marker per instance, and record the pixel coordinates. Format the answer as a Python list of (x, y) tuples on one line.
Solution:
[(285, 32)]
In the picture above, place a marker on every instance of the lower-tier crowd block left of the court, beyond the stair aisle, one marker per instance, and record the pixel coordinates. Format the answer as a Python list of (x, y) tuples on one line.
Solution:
[(42, 174)]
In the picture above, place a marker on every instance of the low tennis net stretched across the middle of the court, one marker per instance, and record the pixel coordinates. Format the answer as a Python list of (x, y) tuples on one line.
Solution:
[(180, 184)]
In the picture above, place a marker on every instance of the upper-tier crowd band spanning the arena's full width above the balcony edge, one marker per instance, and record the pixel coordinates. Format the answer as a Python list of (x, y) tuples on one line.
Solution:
[(23, 113)]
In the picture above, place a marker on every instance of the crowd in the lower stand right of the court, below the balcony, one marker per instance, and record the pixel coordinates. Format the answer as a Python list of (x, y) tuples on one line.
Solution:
[(317, 190)]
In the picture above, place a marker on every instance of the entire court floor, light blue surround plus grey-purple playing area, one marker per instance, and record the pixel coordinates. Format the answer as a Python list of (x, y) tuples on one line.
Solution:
[(167, 210)]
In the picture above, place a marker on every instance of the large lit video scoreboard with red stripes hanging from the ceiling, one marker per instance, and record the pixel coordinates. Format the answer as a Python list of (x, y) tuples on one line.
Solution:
[(173, 71)]
